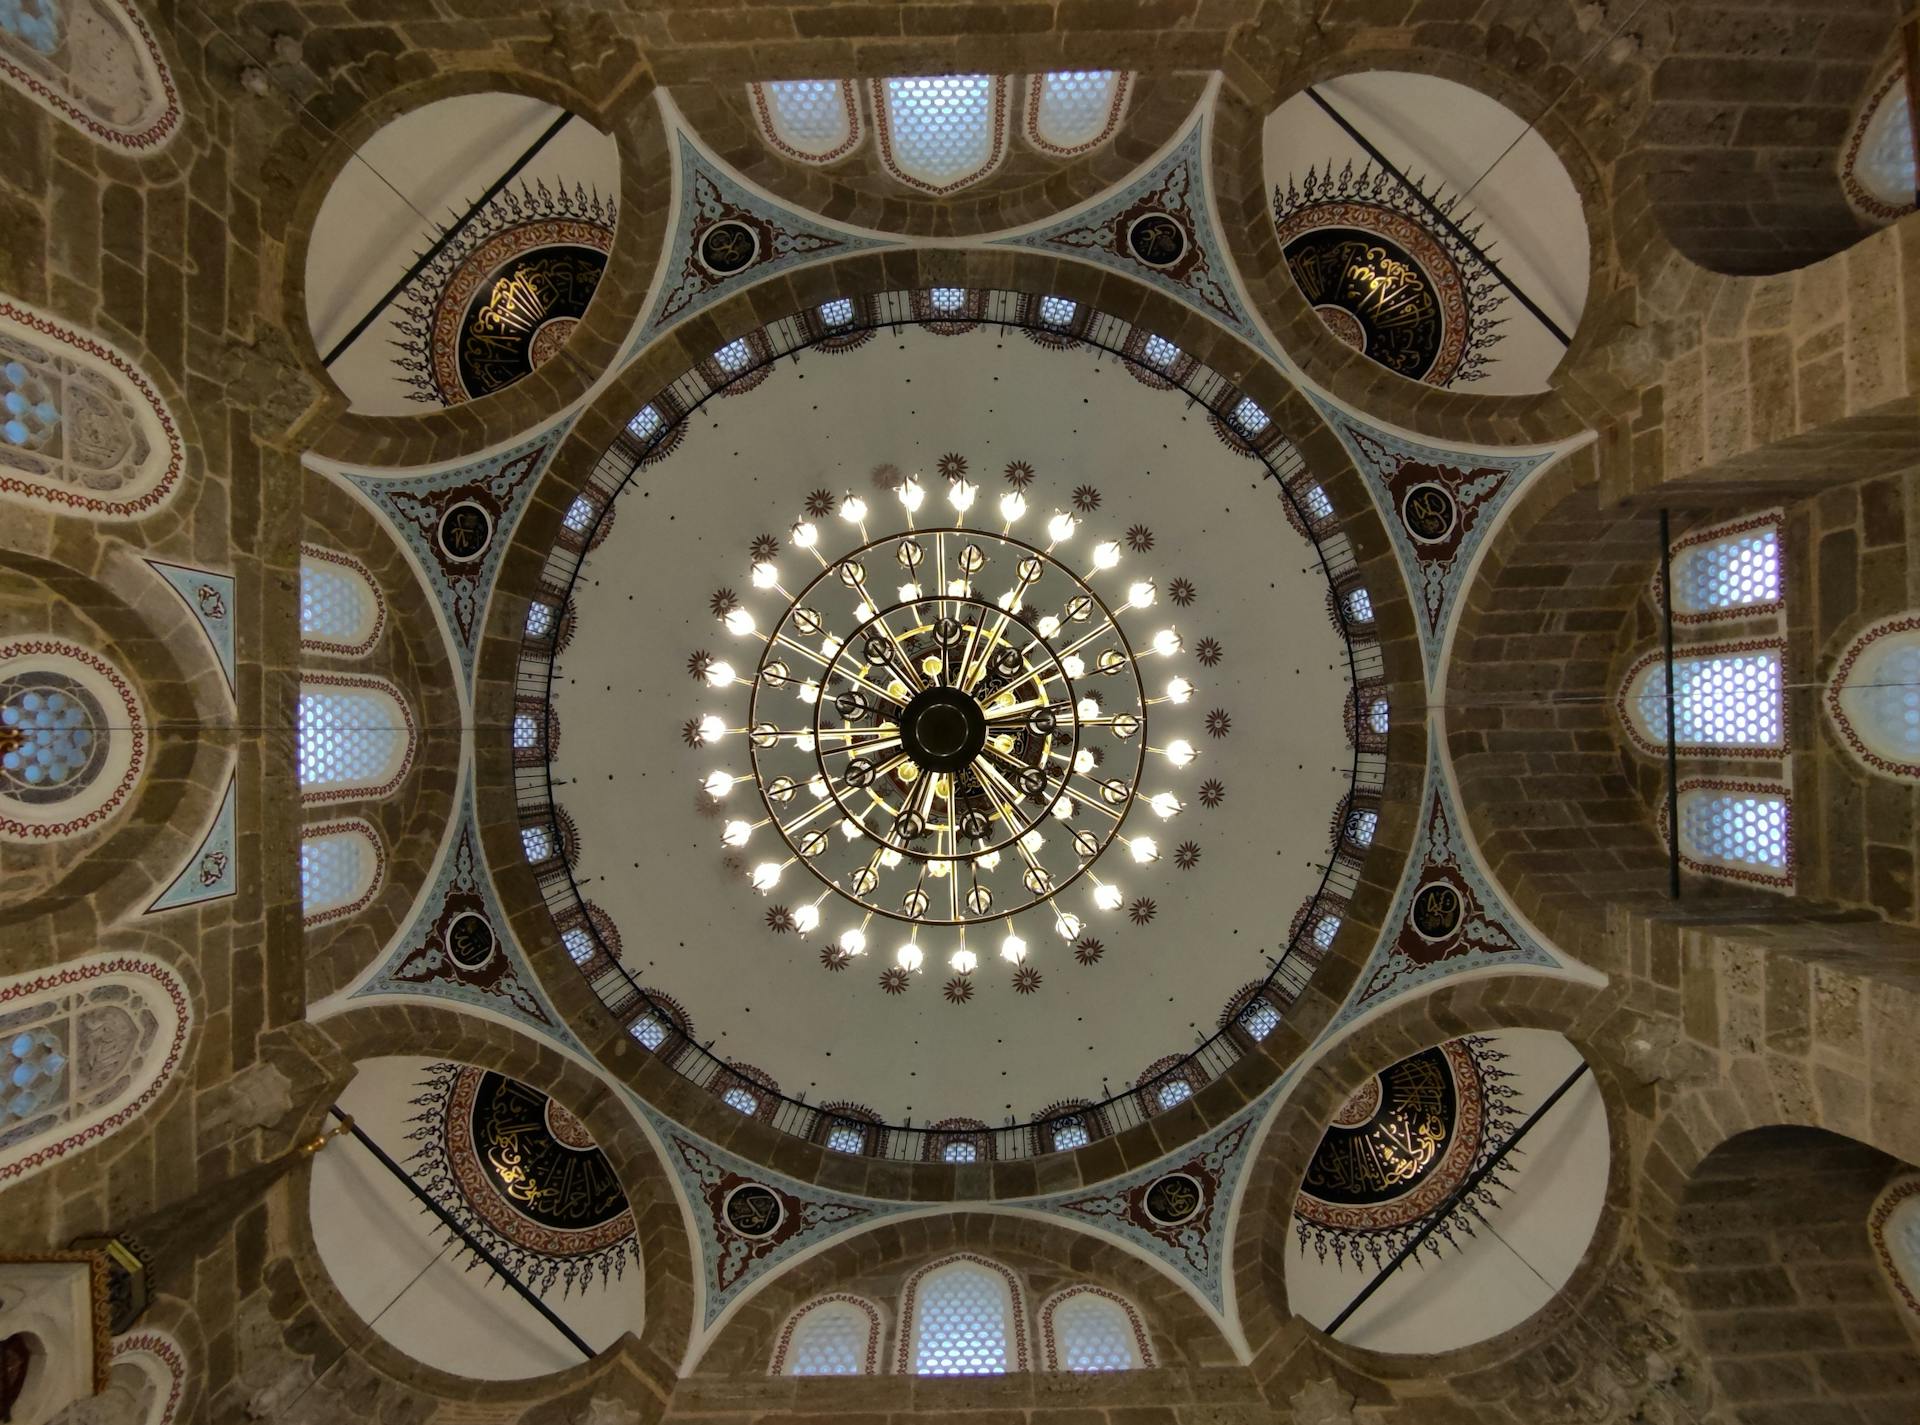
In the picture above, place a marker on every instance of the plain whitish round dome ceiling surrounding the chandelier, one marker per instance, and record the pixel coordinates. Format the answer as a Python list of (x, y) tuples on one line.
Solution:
[(1149, 965)]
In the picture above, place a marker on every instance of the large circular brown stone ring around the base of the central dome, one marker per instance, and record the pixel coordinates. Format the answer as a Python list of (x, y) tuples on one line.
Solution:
[(665, 362)]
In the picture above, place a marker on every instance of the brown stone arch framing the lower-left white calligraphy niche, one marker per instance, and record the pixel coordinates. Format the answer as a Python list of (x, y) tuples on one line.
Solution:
[(667, 1263)]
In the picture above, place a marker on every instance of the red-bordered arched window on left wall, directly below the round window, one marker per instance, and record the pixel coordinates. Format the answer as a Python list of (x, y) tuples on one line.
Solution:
[(84, 1051)]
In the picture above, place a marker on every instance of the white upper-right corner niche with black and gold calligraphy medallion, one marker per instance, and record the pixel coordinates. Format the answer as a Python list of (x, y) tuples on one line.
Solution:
[(1429, 228)]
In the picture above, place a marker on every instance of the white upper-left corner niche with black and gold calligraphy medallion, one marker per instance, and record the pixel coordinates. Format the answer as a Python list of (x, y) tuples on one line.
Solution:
[(506, 289)]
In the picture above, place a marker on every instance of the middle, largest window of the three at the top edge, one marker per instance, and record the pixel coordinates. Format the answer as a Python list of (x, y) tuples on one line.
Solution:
[(940, 133)]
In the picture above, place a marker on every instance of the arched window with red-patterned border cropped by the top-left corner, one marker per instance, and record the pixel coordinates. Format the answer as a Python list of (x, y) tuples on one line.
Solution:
[(95, 64)]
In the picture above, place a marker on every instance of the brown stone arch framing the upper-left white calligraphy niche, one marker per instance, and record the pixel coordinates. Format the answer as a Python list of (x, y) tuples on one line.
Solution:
[(362, 107)]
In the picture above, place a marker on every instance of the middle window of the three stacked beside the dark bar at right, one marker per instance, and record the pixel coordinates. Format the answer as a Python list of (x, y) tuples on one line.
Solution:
[(1727, 700)]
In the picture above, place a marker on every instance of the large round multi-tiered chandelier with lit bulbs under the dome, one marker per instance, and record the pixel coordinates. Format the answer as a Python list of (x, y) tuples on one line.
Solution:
[(944, 731)]
